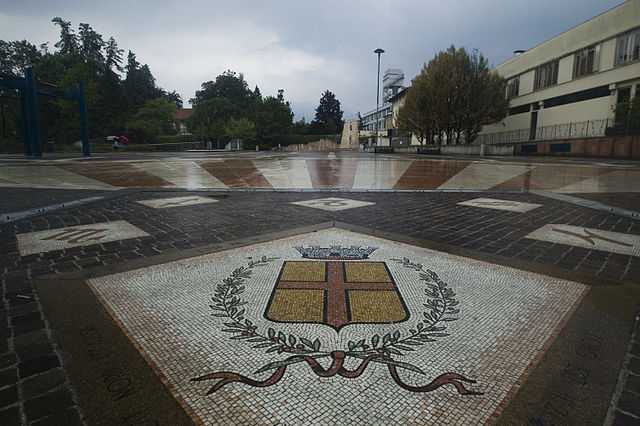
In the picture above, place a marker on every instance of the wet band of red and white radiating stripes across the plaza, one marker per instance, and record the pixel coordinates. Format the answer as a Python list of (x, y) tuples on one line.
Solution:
[(321, 172)]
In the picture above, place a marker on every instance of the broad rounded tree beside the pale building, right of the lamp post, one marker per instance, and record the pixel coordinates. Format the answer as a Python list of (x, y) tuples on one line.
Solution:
[(453, 97)]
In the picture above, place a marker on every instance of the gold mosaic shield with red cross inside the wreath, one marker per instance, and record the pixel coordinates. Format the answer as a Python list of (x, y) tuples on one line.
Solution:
[(336, 293)]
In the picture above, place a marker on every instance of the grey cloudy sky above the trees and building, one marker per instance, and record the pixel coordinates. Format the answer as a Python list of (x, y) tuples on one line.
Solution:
[(302, 46)]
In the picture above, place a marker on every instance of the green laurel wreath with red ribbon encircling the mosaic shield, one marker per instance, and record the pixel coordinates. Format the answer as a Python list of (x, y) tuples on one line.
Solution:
[(440, 304)]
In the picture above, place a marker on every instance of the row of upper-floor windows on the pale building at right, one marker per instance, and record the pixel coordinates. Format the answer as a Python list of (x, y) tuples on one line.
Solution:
[(585, 62)]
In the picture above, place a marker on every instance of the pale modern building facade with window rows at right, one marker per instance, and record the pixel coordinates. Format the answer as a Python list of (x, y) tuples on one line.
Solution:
[(569, 86)]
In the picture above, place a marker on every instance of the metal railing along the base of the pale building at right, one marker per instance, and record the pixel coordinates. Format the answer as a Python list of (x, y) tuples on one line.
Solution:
[(583, 129)]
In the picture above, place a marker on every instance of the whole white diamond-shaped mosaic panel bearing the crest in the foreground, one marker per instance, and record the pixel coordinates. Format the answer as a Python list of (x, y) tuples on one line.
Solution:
[(472, 331)]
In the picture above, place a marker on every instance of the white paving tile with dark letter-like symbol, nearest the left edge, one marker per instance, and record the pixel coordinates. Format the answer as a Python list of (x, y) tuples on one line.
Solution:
[(73, 236)]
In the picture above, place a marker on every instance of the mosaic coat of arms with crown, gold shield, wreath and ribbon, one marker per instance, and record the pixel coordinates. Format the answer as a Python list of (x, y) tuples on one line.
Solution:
[(336, 286)]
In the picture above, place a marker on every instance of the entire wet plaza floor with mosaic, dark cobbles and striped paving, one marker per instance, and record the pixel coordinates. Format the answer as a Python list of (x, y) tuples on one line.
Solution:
[(309, 288)]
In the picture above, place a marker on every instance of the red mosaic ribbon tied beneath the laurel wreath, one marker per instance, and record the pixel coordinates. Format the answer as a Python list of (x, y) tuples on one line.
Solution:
[(337, 367)]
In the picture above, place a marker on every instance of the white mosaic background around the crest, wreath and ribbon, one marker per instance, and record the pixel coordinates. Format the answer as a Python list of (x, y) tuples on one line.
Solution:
[(506, 317)]
